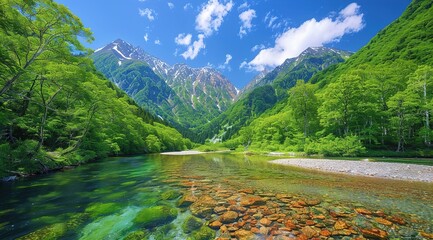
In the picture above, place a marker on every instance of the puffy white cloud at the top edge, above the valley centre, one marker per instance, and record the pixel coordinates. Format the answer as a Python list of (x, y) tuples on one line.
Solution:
[(211, 16)]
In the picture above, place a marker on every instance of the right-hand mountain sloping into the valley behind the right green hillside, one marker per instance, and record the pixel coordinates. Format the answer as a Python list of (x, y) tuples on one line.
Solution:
[(263, 92)]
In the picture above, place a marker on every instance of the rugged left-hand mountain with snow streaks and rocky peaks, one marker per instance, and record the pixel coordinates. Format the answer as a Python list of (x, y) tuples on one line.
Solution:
[(184, 96)]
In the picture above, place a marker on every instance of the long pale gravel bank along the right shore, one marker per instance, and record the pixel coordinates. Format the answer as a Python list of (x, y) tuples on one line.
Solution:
[(400, 171)]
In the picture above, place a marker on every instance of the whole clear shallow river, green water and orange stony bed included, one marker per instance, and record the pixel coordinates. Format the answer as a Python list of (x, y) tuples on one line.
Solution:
[(229, 195)]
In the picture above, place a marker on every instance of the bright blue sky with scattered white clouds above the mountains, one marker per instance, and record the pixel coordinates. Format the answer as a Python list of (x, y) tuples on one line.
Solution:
[(237, 37)]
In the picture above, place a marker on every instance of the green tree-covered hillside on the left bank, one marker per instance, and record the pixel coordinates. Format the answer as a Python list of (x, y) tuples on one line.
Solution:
[(55, 108)]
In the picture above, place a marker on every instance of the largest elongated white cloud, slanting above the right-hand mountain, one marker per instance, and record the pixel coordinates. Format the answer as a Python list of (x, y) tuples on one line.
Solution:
[(311, 33)]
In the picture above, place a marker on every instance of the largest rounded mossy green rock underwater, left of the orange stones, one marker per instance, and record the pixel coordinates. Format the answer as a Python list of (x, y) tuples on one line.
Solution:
[(155, 216)]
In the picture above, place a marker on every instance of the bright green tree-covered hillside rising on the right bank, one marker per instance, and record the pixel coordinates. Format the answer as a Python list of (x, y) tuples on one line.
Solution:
[(379, 99)]
